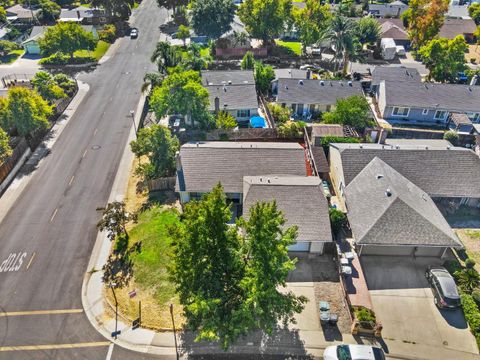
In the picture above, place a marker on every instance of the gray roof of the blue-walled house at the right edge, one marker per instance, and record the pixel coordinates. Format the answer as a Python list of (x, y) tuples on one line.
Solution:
[(451, 97)]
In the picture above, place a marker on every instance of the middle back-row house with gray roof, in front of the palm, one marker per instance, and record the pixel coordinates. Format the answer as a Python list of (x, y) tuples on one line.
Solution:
[(313, 96)]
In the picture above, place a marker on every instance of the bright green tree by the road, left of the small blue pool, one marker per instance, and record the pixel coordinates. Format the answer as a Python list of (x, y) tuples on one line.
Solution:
[(182, 93)]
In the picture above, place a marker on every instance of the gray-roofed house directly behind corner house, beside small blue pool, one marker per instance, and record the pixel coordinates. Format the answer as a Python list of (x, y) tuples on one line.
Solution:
[(232, 91)]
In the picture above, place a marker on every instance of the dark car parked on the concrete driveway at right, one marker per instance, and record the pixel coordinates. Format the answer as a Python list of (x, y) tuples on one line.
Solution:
[(443, 286)]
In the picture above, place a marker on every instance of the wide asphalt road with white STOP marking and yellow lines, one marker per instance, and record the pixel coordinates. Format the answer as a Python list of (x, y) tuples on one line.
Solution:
[(49, 233)]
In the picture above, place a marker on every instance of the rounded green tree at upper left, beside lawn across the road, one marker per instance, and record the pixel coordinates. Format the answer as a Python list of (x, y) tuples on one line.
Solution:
[(66, 38)]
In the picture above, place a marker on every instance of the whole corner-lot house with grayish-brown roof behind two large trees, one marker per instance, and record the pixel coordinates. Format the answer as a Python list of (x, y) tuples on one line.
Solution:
[(258, 171)]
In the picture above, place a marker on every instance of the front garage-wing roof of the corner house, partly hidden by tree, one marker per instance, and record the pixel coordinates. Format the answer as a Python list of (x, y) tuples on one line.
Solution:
[(300, 199)]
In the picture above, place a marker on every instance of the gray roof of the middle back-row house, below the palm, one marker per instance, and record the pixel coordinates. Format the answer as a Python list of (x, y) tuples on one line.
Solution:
[(291, 91)]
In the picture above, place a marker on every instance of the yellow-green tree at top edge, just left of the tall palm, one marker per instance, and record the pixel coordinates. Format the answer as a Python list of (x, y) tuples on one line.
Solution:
[(311, 21)]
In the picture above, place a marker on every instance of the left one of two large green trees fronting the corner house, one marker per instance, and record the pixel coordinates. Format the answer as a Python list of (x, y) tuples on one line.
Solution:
[(207, 269)]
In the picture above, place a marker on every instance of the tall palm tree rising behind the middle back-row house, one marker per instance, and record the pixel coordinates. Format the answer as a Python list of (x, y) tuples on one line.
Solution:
[(341, 34)]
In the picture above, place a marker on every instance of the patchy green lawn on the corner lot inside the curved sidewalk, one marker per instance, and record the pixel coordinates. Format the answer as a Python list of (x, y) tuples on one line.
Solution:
[(150, 263)]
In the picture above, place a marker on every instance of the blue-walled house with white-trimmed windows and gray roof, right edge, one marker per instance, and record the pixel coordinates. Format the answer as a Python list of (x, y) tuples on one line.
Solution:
[(411, 102)]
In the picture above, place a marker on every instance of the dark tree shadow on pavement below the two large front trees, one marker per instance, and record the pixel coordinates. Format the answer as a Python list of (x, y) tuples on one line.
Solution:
[(281, 344)]
